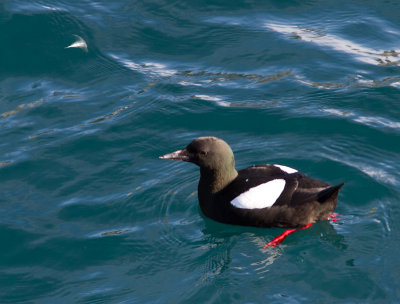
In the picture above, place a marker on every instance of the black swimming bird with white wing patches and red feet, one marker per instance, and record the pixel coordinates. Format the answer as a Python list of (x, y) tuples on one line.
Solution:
[(266, 195)]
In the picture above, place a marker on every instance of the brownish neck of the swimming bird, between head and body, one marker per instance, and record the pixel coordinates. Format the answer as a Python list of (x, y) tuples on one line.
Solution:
[(214, 181)]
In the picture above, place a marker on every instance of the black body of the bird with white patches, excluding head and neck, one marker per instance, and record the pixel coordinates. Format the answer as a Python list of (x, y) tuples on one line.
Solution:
[(271, 196)]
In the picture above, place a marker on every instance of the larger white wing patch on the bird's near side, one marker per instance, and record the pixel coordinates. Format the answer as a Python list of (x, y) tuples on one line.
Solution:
[(262, 196)]
